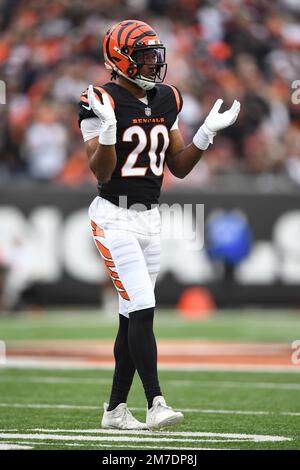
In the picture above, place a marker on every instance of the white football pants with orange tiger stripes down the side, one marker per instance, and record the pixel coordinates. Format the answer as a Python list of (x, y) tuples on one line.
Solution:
[(129, 244)]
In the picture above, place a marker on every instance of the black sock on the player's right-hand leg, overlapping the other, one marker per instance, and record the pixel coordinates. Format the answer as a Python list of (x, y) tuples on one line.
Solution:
[(142, 346)]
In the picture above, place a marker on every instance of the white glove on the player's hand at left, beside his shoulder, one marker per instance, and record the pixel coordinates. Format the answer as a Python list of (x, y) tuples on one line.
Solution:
[(106, 114)]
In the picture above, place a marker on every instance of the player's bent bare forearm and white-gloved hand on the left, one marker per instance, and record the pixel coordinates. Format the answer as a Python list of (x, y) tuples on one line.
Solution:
[(101, 150)]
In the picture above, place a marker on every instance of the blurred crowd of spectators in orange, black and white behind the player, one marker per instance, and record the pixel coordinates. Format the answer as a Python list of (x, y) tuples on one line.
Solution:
[(51, 50)]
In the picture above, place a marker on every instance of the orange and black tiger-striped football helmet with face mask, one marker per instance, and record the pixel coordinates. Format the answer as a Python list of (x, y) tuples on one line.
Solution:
[(130, 45)]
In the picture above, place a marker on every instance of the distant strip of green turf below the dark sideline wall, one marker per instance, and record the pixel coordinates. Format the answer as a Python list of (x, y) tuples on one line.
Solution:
[(245, 325)]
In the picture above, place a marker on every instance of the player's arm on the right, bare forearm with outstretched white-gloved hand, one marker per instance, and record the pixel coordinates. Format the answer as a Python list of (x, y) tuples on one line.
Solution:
[(180, 158)]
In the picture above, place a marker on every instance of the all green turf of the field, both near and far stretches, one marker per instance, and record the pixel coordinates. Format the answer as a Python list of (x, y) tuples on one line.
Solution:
[(61, 409)]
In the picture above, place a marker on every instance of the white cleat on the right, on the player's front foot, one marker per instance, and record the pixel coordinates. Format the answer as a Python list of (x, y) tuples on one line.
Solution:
[(161, 415)]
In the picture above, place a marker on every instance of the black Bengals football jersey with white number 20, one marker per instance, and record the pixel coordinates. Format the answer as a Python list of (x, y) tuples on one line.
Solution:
[(142, 141)]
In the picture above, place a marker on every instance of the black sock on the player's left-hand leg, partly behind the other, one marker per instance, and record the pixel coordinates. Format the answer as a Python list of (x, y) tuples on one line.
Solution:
[(124, 367)]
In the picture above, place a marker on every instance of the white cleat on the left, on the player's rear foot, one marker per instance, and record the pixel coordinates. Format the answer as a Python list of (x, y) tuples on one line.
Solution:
[(120, 418)]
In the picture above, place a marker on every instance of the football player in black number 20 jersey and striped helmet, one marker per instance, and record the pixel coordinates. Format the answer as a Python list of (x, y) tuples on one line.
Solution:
[(130, 130)]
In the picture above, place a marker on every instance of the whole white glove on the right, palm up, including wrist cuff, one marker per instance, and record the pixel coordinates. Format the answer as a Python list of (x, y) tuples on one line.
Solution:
[(214, 122)]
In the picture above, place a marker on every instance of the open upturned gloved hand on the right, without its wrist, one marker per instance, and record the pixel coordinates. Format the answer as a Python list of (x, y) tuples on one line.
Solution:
[(216, 121)]
